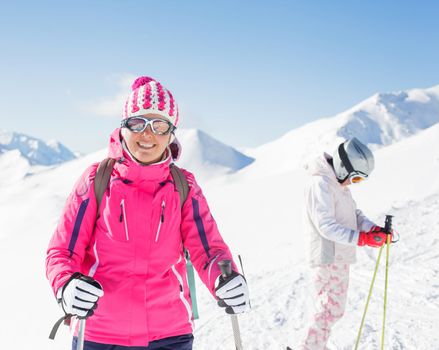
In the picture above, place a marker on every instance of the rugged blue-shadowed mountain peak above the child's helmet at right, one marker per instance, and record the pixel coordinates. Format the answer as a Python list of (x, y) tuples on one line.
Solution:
[(386, 118)]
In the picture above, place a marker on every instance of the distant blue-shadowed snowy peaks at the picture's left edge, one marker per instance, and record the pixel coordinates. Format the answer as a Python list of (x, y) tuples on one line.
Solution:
[(36, 151)]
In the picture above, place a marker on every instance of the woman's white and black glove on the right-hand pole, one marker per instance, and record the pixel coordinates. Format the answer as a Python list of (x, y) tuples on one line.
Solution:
[(233, 294)]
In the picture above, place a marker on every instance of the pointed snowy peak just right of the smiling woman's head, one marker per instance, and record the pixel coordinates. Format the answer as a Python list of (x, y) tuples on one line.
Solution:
[(199, 149)]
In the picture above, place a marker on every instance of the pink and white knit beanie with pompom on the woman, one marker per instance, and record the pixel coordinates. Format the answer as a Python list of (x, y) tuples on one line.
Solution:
[(149, 96)]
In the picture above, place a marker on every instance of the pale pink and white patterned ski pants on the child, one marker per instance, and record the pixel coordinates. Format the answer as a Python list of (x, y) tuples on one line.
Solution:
[(331, 283)]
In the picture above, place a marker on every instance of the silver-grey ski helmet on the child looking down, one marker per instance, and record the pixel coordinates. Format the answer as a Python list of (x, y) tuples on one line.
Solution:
[(352, 157)]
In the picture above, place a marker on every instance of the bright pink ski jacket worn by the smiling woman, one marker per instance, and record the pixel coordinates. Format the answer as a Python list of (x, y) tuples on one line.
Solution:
[(134, 249)]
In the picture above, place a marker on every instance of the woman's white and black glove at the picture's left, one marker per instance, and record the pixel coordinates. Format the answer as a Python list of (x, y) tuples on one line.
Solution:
[(80, 294)]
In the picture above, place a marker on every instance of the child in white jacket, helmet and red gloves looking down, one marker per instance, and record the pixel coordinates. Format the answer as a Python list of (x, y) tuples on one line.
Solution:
[(335, 227)]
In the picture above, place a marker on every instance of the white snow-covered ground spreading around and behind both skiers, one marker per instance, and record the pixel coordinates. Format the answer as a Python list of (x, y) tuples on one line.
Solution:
[(258, 208)]
